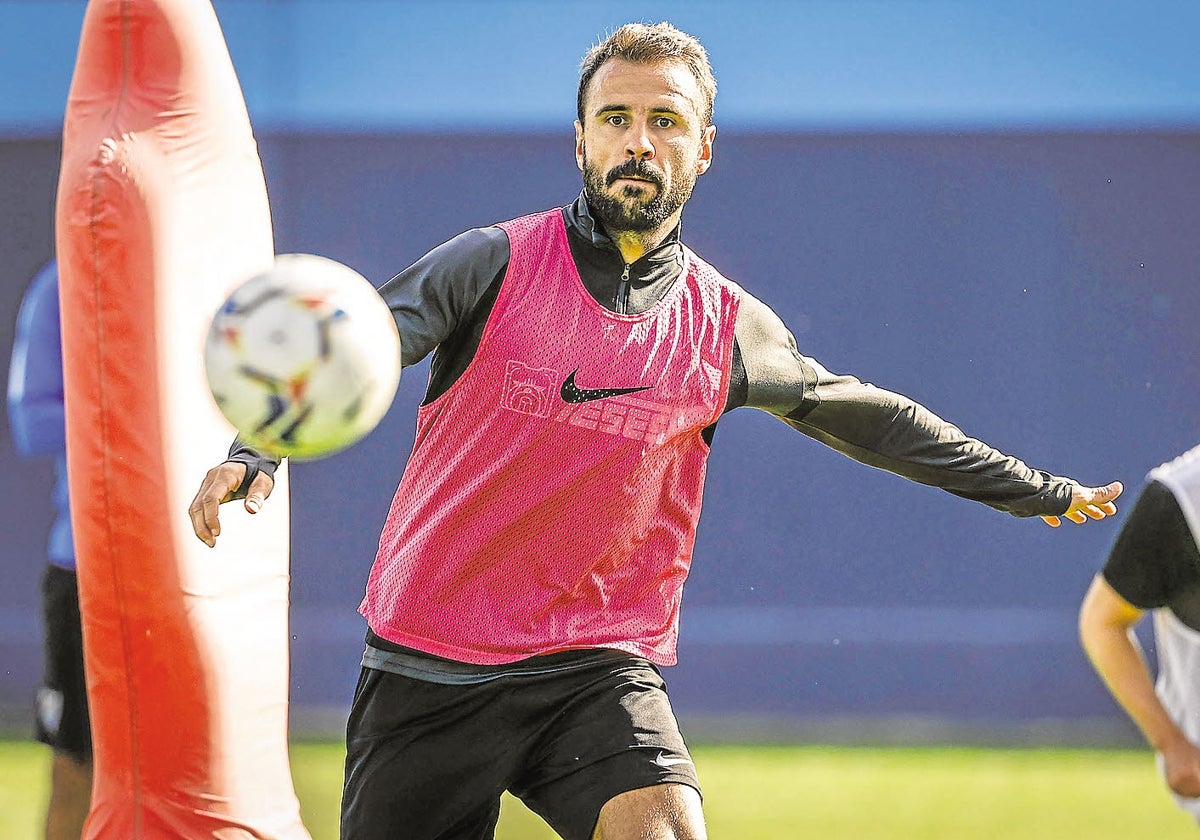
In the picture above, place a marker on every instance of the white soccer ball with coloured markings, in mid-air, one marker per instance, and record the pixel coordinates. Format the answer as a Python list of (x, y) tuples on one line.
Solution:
[(303, 359)]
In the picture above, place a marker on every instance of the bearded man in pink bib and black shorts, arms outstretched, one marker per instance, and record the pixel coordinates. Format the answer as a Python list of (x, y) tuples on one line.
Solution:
[(530, 572)]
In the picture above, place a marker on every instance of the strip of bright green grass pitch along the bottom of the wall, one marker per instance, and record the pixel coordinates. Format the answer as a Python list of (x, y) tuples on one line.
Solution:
[(782, 793)]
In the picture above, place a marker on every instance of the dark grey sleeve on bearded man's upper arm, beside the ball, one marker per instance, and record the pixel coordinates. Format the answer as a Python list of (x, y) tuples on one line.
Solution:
[(433, 297)]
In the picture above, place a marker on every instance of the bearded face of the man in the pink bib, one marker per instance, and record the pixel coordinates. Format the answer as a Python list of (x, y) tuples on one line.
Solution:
[(643, 143)]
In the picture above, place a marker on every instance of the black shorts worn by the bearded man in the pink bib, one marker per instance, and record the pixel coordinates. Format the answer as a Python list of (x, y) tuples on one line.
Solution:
[(429, 760)]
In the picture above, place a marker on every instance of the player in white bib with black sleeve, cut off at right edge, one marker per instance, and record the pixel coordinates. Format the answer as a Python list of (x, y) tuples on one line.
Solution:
[(1155, 566)]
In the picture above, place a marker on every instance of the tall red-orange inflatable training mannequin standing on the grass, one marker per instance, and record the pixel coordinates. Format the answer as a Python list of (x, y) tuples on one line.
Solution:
[(161, 212)]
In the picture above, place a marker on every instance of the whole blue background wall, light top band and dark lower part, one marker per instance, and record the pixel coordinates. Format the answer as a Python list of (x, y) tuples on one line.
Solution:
[(988, 208)]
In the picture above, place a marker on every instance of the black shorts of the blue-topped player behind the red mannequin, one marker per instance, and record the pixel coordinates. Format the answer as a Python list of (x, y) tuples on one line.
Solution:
[(62, 706)]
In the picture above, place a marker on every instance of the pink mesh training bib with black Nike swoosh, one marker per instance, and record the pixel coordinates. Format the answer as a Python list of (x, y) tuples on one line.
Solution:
[(553, 495)]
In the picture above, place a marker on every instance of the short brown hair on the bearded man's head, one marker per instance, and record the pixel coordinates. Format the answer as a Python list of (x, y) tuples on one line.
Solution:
[(644, 44)]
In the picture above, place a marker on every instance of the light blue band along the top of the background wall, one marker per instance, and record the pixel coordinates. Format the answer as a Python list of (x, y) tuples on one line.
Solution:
[(388, 65)]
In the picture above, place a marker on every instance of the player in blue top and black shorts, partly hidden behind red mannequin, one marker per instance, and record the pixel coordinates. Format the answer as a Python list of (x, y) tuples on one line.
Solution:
[(37, 417)]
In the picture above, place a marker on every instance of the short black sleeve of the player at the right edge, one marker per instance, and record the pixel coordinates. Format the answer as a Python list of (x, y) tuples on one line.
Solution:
[(1155, 556)]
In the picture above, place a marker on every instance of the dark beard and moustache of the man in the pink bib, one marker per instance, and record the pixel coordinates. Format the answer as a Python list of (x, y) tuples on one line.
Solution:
[(631, 213)]
